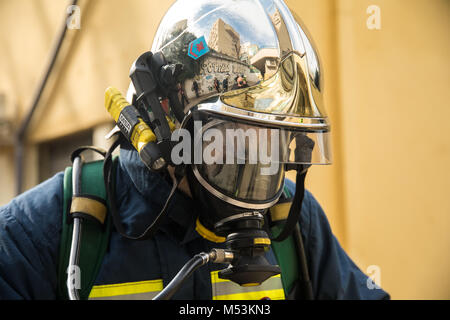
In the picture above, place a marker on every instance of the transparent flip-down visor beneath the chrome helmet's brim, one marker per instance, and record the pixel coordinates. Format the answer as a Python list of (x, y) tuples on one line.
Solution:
[(229, 141)]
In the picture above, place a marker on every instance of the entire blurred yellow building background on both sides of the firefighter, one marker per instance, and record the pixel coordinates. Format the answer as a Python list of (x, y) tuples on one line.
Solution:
[(387, 77)]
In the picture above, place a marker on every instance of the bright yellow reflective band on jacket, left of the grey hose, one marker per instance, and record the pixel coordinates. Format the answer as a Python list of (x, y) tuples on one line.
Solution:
[(128, 288)]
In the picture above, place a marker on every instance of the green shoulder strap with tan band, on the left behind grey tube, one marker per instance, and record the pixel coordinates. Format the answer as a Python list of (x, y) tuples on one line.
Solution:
[(95, 236)]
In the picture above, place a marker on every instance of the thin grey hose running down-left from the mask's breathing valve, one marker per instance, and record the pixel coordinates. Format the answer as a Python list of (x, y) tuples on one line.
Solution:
[(196, 262)]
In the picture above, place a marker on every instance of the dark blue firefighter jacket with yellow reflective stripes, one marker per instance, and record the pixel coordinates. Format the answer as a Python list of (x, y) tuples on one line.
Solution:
[(30, 231)]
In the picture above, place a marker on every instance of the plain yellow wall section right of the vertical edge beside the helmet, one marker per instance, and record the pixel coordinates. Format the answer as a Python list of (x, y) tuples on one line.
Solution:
[(396, 142)]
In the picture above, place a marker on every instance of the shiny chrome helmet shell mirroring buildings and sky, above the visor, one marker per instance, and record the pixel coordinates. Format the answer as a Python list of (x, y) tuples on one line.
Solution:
[(250, 53)]
